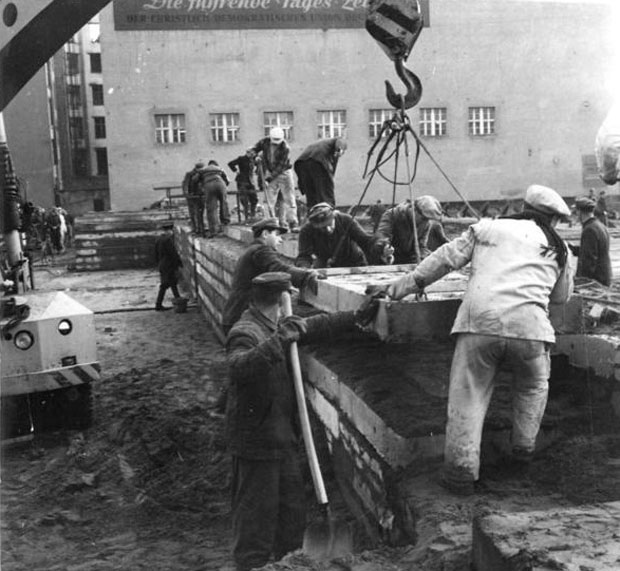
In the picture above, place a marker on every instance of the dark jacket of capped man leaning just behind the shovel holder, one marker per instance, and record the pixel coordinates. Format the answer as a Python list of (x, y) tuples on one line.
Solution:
[(257, 259)]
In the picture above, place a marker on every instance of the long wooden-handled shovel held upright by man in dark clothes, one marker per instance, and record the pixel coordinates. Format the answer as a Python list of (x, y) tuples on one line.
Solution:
[(326, 538)]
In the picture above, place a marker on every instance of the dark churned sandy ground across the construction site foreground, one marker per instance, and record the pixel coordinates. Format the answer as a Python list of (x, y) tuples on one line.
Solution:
[(147, 486)]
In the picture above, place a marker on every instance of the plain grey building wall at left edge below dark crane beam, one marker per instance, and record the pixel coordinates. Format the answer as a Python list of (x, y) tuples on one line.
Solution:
[(28, 136)]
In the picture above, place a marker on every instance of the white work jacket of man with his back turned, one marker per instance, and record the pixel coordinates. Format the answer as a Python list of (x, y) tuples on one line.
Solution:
[(514, 277)]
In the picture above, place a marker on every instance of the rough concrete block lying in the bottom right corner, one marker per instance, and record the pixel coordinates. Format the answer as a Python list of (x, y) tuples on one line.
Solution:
[(577, 538)]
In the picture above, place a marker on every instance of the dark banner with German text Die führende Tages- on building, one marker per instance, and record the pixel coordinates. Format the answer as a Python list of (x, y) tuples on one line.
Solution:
[(241, 14)]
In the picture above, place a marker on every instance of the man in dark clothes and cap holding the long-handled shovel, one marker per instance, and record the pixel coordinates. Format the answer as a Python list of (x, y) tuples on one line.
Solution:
[(268, 511)]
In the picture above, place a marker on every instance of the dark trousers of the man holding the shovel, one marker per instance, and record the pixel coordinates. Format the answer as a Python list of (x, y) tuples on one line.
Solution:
[(269, 515)]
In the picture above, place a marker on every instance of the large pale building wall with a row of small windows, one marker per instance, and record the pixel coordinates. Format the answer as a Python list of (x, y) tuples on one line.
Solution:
[(542, 65)]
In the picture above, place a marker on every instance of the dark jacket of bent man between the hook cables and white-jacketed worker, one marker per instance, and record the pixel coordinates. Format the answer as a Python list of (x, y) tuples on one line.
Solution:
[(396, 225)]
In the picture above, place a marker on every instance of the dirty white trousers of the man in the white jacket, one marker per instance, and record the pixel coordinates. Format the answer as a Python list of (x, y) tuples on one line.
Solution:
[(474, 365)]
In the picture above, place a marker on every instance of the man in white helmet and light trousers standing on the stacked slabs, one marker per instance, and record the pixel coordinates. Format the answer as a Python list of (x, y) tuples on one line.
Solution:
[(277, 177)]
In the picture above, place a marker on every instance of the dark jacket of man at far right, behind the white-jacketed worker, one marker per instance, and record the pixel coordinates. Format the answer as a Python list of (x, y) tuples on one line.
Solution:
[(594, 261)]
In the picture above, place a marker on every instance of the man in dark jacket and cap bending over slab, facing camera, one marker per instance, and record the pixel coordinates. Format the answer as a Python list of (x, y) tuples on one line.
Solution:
[(332, 239)]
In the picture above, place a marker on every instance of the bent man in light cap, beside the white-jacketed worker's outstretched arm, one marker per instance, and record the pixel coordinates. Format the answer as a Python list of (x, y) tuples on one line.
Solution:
[(397, 226)]
